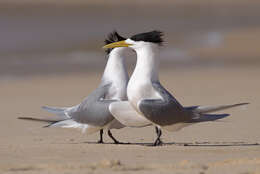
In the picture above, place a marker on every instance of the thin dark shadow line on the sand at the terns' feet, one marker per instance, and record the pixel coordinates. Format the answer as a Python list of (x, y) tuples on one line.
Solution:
[(193, 144)]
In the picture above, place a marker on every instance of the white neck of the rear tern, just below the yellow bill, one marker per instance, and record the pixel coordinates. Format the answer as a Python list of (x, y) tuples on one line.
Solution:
[(115, 70)]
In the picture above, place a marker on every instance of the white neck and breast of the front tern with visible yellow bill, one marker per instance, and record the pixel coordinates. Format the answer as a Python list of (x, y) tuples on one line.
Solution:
[(146, 71)]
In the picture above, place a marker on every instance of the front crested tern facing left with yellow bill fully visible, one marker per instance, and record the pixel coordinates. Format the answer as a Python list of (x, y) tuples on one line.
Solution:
[(149, 98)]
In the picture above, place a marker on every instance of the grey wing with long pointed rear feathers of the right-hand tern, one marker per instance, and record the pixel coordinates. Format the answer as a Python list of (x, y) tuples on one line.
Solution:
[(168, 111)]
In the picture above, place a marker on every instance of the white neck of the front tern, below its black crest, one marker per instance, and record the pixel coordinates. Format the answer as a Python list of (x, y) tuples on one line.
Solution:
[(147, 63)]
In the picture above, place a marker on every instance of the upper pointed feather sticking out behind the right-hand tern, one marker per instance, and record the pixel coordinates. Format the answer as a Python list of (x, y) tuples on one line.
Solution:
[(209, 109)]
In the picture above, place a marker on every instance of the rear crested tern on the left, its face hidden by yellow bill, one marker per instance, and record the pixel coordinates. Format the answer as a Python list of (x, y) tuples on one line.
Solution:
[(93, 115)]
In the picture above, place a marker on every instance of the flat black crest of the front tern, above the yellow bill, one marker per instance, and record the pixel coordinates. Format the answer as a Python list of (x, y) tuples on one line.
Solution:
[(153, 36)]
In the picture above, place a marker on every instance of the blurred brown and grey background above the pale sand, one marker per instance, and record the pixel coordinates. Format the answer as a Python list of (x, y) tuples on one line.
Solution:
[(49, 37)]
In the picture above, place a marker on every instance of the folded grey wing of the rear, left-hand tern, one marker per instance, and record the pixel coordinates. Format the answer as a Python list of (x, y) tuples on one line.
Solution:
[(94, 109)]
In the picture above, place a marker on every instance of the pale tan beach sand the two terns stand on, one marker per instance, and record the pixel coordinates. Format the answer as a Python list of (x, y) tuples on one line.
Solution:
[(228, 146)]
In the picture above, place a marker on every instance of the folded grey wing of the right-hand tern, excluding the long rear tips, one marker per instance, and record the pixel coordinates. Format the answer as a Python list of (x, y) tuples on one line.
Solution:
[(165, 111)]
